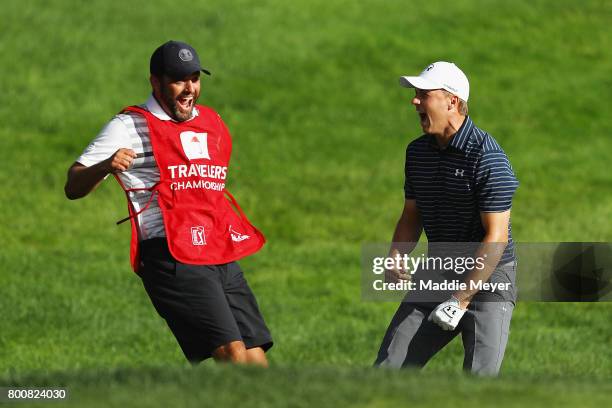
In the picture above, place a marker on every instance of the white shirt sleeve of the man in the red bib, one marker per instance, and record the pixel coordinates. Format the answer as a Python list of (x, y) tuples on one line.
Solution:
[(111, 138)]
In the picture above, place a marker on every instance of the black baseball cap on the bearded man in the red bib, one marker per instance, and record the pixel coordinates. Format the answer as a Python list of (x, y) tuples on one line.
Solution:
[(175, 59)]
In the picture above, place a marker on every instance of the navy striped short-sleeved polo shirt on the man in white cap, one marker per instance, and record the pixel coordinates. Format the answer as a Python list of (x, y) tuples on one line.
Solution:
[(453, 185)]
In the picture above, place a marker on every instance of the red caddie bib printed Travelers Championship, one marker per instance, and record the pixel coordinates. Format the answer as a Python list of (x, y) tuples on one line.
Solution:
[(202, 227)]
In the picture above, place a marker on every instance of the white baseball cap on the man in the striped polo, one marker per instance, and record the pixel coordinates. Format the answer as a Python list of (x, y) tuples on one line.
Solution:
[(440, 75)]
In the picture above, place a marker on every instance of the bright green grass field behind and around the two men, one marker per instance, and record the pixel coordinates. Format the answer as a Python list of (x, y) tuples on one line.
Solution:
[(309, 91)]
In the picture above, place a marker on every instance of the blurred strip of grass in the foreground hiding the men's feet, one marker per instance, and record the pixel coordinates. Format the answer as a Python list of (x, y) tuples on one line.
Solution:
[(308, 387)]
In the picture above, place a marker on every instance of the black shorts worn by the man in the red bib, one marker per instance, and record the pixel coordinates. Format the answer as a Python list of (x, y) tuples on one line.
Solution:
[(205, 306)]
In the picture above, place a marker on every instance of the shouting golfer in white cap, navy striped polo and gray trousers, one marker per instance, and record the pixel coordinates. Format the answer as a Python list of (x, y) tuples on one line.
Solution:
[(458, 188)]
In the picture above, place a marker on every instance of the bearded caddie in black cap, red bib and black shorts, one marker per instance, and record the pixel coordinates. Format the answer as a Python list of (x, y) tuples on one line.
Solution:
[(171, 158)]
